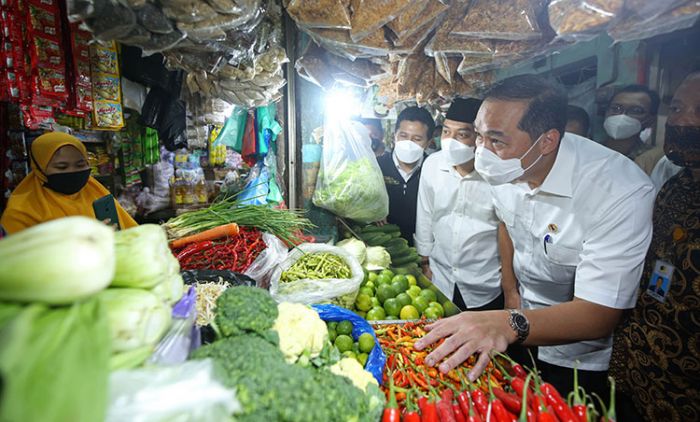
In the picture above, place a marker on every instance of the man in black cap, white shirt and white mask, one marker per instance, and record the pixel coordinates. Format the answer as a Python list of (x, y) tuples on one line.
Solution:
[(456, 225)]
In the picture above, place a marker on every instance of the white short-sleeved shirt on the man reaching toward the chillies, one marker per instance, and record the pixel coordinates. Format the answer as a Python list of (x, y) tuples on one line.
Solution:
[(583, 233)]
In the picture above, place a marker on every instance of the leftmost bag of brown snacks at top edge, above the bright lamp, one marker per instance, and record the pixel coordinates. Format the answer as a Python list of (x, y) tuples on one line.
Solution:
[(320, 13)]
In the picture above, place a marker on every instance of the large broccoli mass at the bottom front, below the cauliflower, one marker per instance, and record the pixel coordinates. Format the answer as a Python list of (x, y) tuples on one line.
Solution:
[(269, 389)]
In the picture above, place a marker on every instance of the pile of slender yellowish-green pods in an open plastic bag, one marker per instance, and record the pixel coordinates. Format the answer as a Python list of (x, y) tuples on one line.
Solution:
[(317, 266)]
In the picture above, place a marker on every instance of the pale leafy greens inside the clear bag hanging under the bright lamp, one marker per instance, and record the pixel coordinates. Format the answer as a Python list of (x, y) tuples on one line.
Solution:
[(355, 191)]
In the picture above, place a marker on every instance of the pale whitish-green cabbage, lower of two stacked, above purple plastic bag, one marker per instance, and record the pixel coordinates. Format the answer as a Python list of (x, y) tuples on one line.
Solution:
[(137, 318)]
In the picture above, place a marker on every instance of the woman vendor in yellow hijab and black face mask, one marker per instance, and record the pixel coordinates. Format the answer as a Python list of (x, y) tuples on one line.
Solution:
[(59, 185)]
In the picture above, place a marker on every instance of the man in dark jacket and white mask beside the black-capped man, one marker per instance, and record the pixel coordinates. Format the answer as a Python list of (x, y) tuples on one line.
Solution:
[(401, 168)]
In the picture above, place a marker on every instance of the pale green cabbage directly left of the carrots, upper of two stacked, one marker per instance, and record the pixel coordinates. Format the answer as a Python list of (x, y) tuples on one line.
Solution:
[(143, 257)]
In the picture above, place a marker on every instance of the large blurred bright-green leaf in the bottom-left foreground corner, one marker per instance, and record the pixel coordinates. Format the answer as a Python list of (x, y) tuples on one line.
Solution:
[(54, 362)]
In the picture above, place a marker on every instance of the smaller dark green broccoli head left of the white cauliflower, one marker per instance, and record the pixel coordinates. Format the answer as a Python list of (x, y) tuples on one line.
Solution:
[(244, 309)]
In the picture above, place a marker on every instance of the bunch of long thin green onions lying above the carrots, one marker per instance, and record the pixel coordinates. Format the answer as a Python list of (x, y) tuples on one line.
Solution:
[(285, 224)]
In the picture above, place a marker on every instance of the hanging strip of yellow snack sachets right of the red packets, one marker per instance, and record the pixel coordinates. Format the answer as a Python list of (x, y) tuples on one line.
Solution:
[(106, 89)]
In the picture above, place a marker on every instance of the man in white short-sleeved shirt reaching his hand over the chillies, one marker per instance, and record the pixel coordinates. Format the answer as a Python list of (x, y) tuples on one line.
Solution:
[(579, 216)]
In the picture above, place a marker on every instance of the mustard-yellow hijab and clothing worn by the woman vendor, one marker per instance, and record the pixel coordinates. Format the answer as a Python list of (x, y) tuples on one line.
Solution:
[(31, 203)]
